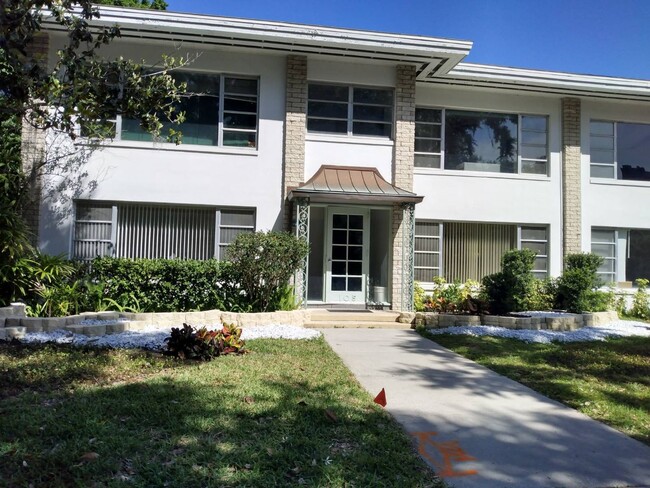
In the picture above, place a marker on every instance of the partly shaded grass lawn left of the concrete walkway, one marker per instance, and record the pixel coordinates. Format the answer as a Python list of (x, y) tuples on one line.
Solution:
[(289, 413)]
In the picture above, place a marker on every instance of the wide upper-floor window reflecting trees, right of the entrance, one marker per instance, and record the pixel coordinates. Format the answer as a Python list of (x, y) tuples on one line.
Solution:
[(481, 141)]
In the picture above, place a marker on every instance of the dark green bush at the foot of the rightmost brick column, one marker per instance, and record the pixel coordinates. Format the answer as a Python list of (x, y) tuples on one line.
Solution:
[(577, 288)]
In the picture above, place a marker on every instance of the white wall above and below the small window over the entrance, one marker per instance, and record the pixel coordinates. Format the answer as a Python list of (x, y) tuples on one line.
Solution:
[(370, 152)]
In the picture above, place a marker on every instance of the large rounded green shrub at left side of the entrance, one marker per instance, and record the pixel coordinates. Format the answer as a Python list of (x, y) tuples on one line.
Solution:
[(263, 263)]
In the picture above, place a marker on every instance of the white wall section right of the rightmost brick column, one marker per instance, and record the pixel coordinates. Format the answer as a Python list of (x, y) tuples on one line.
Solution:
[(612, 203)]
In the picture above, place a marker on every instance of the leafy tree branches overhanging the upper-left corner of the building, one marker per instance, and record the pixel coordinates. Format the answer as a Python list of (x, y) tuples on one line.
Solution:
[(85, 87)]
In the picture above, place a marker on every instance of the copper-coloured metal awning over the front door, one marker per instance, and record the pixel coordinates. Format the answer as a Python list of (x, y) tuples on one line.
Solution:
[(351, 184)]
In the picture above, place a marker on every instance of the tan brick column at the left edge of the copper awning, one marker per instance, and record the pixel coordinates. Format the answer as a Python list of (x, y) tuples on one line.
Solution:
[(295, 128)]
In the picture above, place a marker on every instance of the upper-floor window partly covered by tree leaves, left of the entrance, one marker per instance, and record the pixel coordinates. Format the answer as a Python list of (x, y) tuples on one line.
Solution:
[(220, 110)]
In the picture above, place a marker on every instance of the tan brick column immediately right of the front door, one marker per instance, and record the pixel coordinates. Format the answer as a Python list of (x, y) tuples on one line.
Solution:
[(402, 177)]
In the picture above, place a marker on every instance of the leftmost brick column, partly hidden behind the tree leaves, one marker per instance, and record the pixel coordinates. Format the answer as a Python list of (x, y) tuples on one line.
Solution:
[(32, 149)]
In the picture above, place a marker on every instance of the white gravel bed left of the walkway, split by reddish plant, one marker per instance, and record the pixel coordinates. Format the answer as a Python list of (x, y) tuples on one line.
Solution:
[(154, 338)]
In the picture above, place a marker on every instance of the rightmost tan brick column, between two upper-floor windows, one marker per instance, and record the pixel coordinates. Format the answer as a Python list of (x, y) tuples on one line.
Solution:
[(571, 177)]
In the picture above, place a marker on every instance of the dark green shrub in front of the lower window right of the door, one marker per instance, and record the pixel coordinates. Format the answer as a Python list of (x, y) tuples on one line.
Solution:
[(508, 290)]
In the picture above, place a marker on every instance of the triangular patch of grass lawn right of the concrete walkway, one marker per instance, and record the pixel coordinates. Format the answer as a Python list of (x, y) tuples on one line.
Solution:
[(609, 381)]
